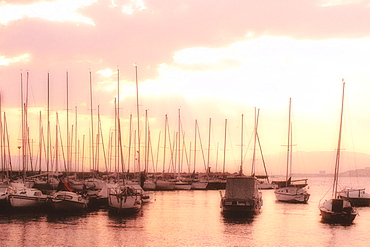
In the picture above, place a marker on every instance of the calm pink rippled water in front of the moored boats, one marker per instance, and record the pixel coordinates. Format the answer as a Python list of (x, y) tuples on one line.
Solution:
[(192, 218)]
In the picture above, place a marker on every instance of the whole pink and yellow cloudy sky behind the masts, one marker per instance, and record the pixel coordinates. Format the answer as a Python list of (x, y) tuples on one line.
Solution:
[(213, 60)]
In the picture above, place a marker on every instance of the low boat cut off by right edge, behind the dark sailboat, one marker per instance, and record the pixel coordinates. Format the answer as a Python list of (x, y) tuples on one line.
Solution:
[(357, 196)]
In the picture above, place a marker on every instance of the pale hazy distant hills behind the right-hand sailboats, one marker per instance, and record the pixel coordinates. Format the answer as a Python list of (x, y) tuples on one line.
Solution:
[(316, 162)]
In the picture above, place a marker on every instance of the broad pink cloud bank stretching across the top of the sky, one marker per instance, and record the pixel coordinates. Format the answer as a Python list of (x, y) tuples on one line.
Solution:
[(156, 31)]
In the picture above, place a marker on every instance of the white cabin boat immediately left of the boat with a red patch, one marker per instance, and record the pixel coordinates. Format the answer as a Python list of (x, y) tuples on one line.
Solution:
[(24, 197)]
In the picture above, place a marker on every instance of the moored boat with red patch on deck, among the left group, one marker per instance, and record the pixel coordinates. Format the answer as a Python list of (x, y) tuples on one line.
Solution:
[(66, 200)]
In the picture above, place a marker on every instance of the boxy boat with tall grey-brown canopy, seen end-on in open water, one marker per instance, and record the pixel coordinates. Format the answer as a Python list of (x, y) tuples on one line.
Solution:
[(241, 195)]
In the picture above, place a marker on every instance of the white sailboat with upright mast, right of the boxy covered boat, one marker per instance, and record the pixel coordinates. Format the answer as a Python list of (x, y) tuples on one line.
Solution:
[(292, 191)]
